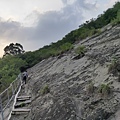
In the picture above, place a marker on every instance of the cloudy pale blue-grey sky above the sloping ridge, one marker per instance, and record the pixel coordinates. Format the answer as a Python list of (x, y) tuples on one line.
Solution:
[(36, 23)]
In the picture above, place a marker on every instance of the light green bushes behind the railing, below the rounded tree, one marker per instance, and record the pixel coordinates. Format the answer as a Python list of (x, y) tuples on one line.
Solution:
[(9, 69)]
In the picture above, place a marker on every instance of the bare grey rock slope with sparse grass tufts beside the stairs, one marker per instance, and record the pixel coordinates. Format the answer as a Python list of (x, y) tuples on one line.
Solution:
[(85, 88)]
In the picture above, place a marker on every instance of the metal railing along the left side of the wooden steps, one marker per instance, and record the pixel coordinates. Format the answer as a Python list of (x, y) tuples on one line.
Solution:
[(7, 98)]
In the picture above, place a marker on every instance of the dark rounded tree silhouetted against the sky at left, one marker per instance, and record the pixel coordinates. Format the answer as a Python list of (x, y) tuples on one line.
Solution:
[(13, 49)]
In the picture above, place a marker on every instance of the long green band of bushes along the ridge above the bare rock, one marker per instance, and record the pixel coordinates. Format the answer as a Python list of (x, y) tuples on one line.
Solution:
[(86, 29)]
